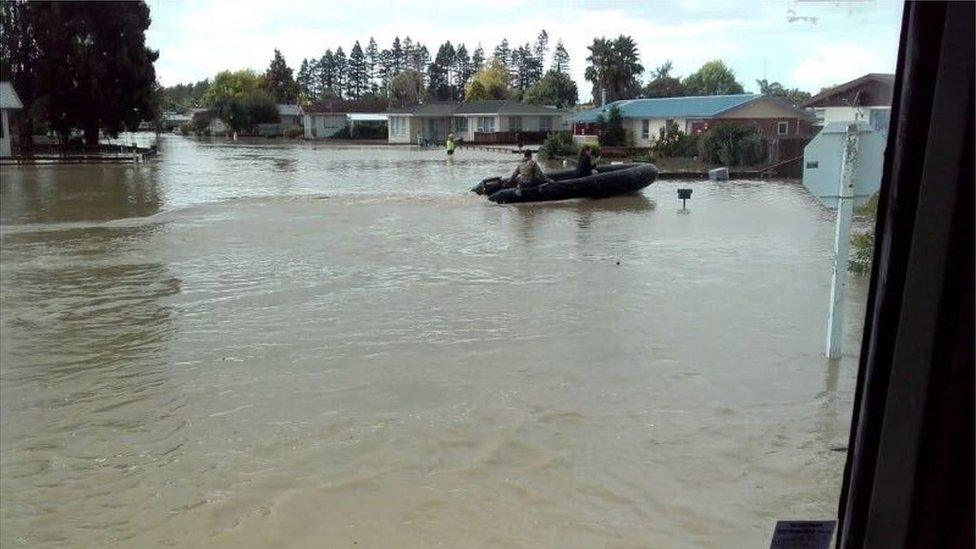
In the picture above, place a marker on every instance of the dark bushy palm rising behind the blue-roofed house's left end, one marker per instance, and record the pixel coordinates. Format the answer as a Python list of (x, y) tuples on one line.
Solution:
[(614, 68)]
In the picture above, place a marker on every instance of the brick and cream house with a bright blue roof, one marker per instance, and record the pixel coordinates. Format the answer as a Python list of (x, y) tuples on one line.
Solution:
[(646, 119)]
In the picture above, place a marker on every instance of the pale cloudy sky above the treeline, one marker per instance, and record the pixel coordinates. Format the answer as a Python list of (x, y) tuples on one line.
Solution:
[(804, 44)]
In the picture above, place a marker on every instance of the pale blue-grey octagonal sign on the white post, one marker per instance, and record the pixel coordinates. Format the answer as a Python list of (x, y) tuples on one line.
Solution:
[(823, 161)]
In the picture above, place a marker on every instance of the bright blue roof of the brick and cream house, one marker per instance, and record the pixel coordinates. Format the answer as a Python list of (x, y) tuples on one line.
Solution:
[(695, 106)]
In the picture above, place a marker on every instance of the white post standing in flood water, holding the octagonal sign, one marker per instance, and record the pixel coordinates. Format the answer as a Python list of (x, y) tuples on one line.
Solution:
[(842, 242)]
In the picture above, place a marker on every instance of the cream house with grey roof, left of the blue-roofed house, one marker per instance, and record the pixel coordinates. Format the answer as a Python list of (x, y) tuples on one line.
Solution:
[(495, 121)]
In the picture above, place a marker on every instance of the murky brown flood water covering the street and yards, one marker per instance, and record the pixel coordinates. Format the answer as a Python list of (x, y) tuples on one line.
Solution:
[(294, 345)]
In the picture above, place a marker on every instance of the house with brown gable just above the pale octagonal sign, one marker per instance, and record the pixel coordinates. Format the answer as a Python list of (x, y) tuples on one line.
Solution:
[(865, 98)]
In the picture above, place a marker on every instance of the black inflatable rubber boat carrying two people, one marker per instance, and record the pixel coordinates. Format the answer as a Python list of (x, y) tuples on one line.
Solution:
[(609, 180)]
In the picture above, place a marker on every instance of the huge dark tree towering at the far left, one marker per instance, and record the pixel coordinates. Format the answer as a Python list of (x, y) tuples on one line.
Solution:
[(93, 71)]
